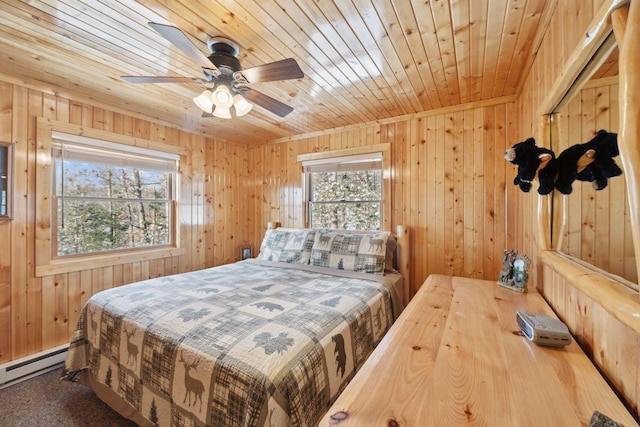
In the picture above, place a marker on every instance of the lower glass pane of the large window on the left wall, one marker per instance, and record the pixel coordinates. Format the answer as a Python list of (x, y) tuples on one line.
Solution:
[(88, 226)]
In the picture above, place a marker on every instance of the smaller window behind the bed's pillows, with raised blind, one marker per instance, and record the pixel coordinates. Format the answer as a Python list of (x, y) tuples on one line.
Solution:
[(345, 192)]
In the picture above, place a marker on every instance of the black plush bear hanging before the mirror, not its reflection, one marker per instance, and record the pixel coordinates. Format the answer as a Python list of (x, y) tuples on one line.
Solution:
[(529, 158)]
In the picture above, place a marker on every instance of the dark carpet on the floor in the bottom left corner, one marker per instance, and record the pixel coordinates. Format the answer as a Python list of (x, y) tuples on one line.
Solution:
[(47, 401)]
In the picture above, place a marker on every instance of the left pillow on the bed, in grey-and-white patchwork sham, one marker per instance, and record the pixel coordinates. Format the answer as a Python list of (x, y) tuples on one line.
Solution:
[(291, 246)]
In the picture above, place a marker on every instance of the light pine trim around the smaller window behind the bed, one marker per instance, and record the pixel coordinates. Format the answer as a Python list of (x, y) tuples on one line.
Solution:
[(328, 157)]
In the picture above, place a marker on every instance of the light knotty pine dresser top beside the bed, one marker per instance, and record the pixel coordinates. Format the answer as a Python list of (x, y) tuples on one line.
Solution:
[(455, 357)]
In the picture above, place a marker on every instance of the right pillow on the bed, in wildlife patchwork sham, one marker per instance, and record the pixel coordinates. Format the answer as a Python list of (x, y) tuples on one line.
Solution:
[(363, 253)]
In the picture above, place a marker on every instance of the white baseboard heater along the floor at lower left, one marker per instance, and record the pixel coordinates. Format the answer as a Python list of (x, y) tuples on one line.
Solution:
[(28, 367)]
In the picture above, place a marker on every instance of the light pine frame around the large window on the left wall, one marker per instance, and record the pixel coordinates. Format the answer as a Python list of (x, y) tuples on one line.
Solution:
[(47, 262)]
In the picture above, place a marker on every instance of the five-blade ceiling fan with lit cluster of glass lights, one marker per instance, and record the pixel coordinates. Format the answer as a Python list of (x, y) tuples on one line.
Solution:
[(227, 83)]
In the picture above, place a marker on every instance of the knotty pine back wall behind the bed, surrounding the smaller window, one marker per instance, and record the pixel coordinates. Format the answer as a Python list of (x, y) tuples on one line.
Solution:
[(448, 180)]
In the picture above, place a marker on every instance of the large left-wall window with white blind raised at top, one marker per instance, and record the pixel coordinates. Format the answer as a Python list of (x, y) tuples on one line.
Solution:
[(108, 196)]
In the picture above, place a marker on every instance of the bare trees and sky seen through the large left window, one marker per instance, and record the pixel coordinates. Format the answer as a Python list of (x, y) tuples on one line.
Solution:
[(102, 208)]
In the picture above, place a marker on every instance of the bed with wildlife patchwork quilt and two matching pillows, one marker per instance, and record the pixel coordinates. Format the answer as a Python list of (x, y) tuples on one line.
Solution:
[(270, 341)]
